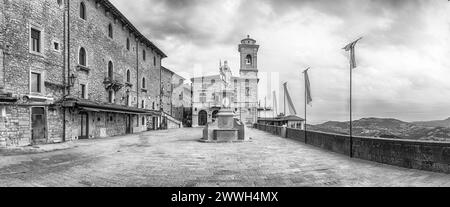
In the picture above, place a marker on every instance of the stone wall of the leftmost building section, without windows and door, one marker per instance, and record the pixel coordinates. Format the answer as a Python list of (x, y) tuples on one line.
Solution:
[(17, 18)]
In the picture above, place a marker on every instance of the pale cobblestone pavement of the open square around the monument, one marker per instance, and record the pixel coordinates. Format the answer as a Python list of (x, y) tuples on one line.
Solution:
[(176, 158)]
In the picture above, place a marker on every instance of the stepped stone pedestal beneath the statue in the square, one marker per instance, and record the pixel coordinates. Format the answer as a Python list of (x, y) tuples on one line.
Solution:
[(225, 129)]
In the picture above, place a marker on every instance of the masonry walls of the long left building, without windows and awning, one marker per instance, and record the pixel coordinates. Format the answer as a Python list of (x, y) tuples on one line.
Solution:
[(17, 17)]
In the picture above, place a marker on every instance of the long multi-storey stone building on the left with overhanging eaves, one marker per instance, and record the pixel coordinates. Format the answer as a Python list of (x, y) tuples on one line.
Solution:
[(73, 70)]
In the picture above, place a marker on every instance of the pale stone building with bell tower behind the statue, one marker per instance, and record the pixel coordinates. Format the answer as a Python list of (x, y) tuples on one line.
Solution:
[(208, 92)]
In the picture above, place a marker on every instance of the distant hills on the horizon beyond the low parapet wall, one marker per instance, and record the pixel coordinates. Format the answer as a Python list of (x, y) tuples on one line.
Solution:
[(389, 128)]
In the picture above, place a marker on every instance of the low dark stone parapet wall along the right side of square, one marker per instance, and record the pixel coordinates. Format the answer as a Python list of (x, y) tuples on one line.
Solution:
[(421, 155)]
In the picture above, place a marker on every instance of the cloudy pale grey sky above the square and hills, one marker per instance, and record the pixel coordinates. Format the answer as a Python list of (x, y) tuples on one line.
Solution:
[(403, 60)]
